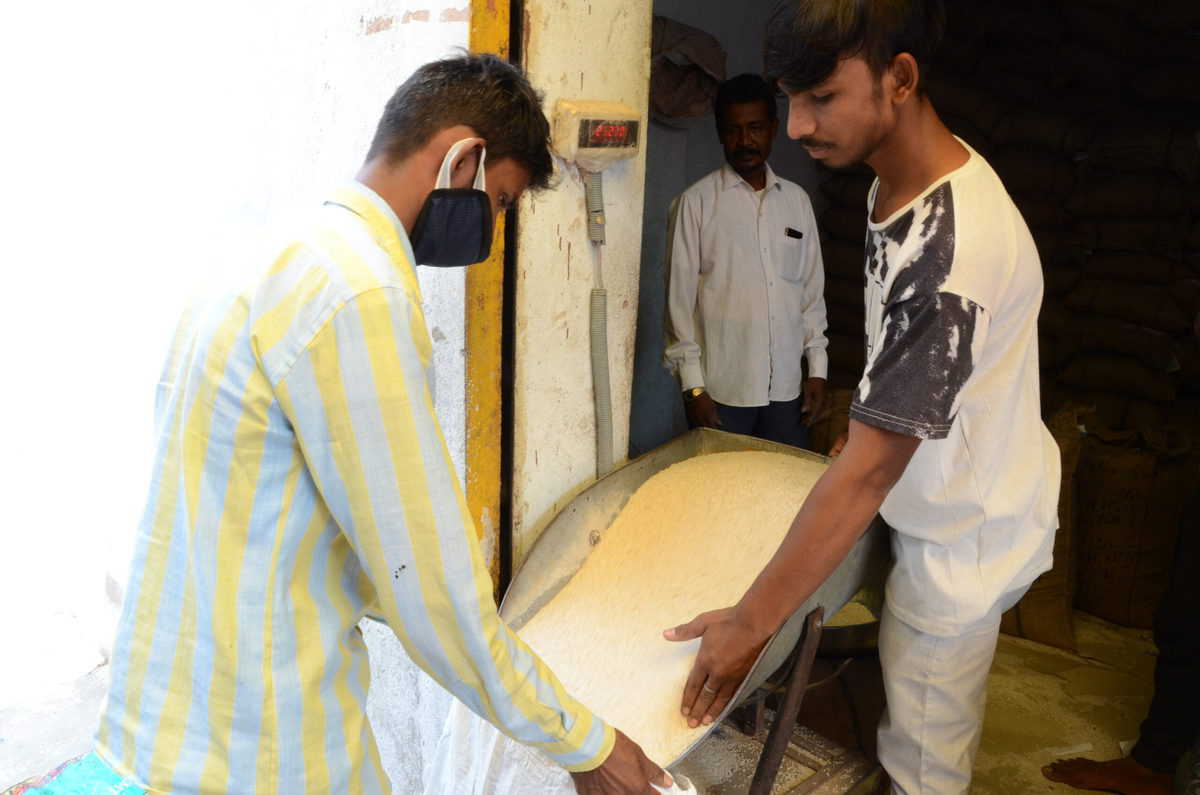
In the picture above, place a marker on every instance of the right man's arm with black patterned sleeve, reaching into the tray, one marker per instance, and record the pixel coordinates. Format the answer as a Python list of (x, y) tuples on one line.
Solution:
[(909, 393)]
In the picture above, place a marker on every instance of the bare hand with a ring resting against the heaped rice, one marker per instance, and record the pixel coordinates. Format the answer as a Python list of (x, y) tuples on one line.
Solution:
[(728, 650)]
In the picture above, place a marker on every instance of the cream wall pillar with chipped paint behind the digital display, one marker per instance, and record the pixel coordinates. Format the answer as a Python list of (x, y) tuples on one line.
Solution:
[(595, 51)]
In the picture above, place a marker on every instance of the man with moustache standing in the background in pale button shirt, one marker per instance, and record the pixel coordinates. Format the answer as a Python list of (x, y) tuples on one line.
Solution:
[(746, 300)]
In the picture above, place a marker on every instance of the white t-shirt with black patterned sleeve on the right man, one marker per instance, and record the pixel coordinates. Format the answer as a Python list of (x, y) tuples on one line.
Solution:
[(953, 294)]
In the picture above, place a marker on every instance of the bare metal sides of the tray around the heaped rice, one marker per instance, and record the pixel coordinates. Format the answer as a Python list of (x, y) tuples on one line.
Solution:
[(572, 536)]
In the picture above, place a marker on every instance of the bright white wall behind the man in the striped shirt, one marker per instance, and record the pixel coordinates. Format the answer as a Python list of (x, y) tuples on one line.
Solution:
[(151, 151)]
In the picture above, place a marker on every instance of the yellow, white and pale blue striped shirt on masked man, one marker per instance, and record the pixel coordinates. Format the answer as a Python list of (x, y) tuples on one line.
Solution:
[(302, 482)]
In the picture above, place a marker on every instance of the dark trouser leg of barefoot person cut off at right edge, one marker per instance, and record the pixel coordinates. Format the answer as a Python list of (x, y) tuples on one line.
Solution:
[(1173, 724)]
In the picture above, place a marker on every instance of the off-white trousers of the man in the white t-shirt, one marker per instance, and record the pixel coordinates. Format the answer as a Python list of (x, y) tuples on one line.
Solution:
[(935, 690)]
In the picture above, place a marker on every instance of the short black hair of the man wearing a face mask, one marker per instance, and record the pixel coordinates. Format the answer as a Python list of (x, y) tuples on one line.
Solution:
[(479, 91)]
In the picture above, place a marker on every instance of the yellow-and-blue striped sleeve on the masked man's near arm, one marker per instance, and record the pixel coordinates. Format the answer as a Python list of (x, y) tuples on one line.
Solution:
[(361, 405)]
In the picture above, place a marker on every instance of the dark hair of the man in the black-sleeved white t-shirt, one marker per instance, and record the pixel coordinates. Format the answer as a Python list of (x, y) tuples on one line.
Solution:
[(807, 39)]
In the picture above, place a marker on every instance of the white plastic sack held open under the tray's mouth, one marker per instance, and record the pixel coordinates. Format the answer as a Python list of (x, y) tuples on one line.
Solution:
[(473, 758)]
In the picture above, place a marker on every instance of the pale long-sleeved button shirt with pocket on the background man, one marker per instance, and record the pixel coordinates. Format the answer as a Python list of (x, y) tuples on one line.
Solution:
[(746, 301)]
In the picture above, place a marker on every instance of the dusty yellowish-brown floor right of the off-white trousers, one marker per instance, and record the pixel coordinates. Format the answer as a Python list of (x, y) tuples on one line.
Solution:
[(1045, 704)]
